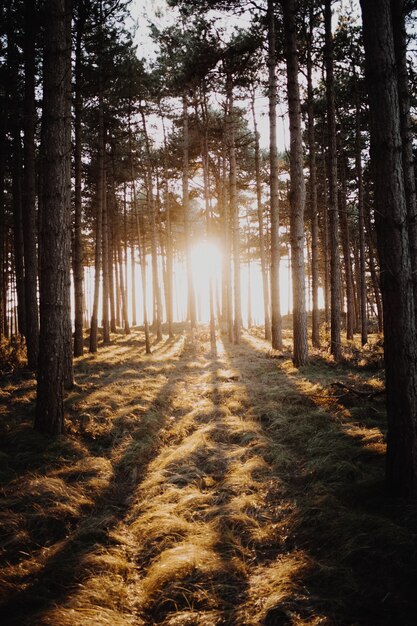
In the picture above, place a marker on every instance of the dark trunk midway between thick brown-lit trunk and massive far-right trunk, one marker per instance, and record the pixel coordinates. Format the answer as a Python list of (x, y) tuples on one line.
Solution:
[(335, 302)]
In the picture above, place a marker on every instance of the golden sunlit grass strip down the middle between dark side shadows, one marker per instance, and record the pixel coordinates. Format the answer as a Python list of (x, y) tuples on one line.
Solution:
[(192, 546)]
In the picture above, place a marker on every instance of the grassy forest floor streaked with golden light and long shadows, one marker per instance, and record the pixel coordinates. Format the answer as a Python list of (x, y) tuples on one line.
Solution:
[(204, 486)]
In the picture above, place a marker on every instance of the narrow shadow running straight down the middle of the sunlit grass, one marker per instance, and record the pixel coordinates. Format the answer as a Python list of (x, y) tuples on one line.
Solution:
[(228, 585)]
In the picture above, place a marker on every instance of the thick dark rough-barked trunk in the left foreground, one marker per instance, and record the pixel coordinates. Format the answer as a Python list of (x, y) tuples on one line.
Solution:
[(55, 238)]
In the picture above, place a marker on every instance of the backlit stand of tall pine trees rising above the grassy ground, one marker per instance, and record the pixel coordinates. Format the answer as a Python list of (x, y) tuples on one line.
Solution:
[(87, 181)]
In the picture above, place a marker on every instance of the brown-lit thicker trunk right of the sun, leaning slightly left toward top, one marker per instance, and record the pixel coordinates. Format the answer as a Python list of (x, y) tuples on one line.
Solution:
[(297, 190)]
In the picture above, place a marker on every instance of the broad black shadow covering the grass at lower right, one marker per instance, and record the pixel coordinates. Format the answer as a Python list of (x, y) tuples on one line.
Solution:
[(360, 546)]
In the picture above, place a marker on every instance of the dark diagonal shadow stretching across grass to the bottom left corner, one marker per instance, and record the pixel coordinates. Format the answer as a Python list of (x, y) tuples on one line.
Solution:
[(60, 574)]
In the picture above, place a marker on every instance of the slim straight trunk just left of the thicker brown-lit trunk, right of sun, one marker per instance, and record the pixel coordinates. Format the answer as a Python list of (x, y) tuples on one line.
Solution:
[(276, 322)]
